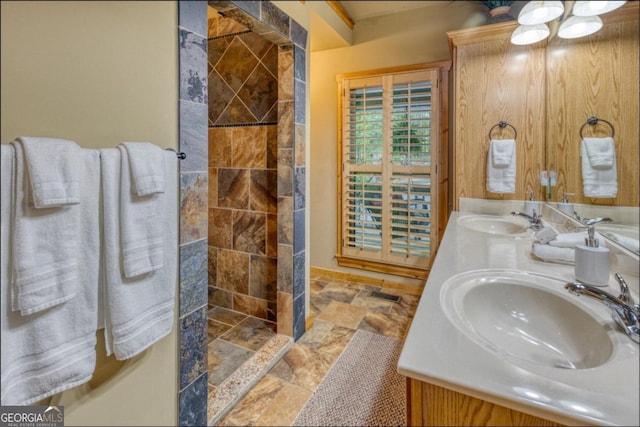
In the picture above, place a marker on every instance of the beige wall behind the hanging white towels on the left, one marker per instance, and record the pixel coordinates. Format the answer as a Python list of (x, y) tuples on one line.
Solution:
[(99, 73)]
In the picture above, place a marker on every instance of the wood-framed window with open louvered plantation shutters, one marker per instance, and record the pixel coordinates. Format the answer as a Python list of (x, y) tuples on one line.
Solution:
[(389, 131)]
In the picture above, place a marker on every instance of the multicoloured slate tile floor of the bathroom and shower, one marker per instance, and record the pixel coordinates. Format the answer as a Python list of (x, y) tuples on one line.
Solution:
[(339, 308)]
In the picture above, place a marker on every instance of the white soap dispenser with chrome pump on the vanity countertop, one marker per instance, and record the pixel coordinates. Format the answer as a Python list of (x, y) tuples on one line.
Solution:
[(592, 261)]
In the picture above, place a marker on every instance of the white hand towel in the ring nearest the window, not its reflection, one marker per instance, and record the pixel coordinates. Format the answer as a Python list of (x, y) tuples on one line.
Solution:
[(501, 175)]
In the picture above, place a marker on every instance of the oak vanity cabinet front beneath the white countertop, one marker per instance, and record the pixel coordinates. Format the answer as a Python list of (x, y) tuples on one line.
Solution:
[(430, 405)]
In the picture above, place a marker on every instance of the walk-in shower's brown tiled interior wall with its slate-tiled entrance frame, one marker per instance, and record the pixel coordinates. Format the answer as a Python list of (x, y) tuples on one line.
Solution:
[(234, 227)]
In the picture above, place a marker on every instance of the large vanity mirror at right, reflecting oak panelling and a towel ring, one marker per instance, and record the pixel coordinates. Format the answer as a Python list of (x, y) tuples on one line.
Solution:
[(597, 76)]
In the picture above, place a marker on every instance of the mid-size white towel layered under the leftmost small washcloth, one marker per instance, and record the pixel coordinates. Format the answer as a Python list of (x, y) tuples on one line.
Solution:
[(45, 244)]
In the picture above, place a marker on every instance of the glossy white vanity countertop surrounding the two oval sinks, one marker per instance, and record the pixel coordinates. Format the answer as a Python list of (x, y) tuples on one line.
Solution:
[(437, 352)]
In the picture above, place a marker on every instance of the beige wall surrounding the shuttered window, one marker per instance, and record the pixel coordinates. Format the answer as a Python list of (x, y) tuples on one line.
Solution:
[(406, 38)]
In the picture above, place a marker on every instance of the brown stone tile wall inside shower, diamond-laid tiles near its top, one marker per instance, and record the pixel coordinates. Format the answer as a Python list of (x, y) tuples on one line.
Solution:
[(243, 114)]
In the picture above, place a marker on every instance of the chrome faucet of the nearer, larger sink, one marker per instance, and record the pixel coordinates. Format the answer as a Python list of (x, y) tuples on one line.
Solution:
[(623, 309)]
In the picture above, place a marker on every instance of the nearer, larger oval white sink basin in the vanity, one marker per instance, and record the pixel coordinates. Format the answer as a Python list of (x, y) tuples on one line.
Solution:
[(524, 316)]
